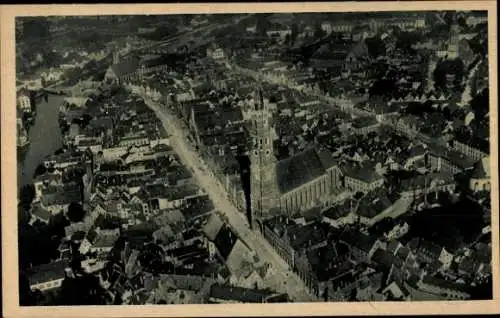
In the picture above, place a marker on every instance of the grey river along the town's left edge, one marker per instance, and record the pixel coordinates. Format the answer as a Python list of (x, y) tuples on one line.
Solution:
[(44, 136)]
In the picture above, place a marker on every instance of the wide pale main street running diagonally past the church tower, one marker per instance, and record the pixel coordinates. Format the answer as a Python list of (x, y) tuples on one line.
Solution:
[(281, 278)]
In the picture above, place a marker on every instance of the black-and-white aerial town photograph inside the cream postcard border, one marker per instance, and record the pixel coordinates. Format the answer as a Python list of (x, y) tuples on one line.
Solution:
[(253, 158)]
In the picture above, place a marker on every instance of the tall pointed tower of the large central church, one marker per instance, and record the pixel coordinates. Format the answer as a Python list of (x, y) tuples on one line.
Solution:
[(263, 184)]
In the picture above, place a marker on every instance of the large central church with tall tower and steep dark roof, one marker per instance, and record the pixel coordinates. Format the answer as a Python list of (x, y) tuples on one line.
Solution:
[(297, 183)]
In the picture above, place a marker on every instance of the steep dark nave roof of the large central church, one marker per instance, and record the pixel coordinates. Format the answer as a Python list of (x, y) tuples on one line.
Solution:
[(302, 168)]
